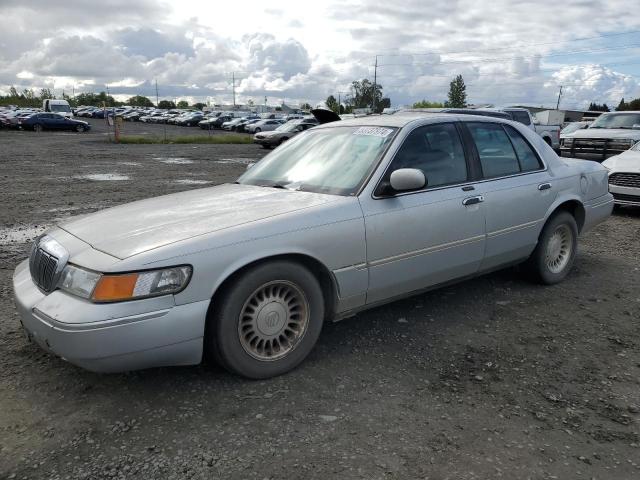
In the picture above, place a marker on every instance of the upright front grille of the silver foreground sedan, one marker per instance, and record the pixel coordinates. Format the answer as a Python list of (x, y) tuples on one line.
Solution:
[(46, 262)]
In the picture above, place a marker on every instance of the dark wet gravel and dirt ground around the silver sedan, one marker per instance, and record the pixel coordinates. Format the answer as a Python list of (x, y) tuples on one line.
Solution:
[(491, 378)]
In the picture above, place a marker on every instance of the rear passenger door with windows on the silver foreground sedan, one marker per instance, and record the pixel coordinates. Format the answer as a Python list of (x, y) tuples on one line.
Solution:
[(517, 191)]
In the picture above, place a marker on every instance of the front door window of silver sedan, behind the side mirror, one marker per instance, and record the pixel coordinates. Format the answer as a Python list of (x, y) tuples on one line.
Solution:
[(437, 151)]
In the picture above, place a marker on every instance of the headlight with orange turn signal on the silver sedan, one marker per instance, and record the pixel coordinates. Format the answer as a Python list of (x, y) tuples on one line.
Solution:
[(126, 286)]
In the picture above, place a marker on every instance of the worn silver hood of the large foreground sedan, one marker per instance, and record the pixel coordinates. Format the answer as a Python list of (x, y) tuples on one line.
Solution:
[(140, 226)]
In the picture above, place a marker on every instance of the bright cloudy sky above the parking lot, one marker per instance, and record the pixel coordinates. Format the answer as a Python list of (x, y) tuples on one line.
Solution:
[(508, 51)]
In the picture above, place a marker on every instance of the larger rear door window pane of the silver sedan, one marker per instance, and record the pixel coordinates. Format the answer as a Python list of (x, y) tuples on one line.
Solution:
[(497, 156)]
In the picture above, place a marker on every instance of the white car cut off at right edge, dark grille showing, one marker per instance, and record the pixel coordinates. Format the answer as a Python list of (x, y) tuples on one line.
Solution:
[(624, 176)]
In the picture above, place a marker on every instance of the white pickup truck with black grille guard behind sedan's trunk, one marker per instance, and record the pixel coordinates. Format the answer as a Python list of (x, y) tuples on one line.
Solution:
[(610, 134)]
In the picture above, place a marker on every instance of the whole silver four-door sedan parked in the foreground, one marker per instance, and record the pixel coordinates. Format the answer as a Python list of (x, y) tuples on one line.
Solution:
[(341, 218)]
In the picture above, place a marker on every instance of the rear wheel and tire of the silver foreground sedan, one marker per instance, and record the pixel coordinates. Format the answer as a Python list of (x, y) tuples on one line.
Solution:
[(559, 239)]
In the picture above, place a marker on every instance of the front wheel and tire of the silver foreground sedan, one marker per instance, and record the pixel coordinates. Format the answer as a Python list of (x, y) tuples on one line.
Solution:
[(267, 321)]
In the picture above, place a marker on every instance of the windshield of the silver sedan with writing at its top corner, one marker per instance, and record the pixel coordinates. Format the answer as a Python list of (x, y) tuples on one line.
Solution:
[(328, 160)]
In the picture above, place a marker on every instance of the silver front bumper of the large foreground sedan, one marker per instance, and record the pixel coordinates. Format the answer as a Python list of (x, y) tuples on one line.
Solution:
[(113, 337)]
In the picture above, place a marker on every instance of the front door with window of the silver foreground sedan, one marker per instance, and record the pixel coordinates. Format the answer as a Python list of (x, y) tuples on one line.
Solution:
[(423, 238)]
